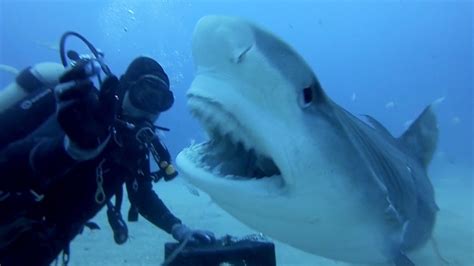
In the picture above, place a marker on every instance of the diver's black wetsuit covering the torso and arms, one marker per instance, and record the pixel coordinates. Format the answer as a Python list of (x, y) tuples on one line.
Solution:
[(72, 194)]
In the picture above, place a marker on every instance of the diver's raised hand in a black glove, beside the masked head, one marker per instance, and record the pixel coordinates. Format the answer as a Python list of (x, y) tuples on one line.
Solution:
[(84, 113)]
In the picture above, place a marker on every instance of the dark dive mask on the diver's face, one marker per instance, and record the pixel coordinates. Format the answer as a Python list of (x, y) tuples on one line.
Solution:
[(151, 94)]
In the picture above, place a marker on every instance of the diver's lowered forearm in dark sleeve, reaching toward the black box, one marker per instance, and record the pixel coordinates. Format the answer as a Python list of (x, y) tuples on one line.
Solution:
[(149, 205)]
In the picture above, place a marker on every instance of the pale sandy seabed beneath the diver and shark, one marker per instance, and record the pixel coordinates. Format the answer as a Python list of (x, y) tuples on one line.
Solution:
[(453, 234)]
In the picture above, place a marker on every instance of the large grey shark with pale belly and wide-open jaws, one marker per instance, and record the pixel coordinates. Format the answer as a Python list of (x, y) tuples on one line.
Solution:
[(285, 159)]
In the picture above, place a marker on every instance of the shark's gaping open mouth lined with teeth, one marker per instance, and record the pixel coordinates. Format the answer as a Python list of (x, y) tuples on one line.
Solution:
[(229, 153)]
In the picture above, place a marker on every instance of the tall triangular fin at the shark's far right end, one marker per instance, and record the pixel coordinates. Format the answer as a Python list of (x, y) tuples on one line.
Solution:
[(422, 136)]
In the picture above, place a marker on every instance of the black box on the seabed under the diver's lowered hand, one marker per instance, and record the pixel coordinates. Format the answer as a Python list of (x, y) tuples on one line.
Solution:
[(251, 250)]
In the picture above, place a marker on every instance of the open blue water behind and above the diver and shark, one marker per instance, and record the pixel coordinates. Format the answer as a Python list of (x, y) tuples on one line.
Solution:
[(385, 58)]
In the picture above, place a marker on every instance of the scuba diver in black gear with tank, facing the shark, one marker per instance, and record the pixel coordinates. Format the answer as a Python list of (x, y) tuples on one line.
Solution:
[(58, 173)]
